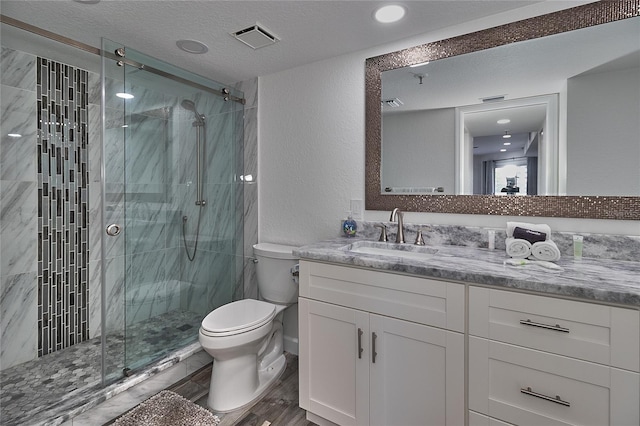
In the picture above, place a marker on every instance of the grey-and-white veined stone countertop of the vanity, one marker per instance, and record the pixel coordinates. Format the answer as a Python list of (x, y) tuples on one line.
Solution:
[(601, 280)]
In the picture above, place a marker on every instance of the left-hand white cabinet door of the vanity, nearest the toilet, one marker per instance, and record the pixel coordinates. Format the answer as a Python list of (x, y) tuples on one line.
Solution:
[(334, 362)]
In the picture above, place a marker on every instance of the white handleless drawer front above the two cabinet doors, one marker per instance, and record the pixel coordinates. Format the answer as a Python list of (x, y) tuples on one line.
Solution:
[(425, 301)]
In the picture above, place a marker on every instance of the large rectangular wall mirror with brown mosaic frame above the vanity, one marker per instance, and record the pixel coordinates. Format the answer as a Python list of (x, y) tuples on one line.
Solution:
[(568, 83)]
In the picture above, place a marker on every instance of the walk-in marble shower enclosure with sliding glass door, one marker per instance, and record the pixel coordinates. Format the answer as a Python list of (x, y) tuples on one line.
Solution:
[(122, 210)]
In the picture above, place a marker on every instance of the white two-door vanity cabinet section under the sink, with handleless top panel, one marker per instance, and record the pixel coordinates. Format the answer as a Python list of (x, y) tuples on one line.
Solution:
[(379, 348)]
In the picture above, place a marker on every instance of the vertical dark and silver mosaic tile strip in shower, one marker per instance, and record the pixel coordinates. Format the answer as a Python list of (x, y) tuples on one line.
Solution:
[(63, 197)]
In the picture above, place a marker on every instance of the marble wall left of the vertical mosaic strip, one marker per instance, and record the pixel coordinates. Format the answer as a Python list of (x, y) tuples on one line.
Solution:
[(18, 210)]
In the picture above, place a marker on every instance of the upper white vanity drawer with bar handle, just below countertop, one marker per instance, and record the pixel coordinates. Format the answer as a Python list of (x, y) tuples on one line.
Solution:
[(596, 333)]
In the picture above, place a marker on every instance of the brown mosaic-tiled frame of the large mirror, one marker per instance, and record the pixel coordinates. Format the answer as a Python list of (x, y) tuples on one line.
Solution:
[(592, 207)]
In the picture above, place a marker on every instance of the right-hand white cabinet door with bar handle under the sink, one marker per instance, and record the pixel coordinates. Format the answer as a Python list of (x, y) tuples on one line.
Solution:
[(417, 374)]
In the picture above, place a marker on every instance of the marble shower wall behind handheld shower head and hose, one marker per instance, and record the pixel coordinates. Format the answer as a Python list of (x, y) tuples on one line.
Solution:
[(209, 280)]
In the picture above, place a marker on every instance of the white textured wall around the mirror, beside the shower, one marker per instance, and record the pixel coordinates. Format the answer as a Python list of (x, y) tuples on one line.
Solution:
[(311, 147)]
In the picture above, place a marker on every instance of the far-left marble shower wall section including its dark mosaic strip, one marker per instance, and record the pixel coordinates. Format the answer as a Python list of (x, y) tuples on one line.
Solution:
[(44, 206)]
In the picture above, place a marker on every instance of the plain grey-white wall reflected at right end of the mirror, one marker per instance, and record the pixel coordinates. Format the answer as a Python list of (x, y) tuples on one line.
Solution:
[(603, 126)]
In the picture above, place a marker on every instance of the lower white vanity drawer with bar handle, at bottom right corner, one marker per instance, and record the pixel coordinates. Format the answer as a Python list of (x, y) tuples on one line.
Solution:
[(525, 386)]
